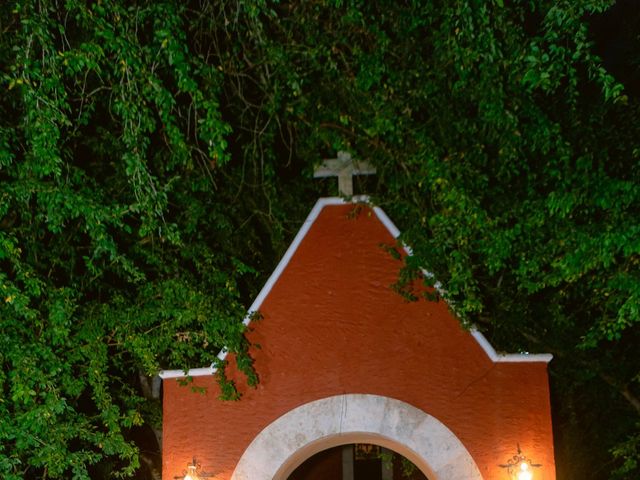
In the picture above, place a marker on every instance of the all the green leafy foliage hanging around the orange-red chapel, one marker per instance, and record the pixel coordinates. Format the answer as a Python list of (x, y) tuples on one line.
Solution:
[(155, 158)]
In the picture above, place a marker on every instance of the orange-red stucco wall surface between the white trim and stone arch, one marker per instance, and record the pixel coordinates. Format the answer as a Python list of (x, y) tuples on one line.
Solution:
[(331, 325)]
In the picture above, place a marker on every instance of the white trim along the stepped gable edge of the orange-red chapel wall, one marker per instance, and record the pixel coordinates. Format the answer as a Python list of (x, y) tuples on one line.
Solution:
[(393, 230)]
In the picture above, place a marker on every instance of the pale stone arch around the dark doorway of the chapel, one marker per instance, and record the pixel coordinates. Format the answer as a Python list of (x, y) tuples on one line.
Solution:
[(356, 418)]
